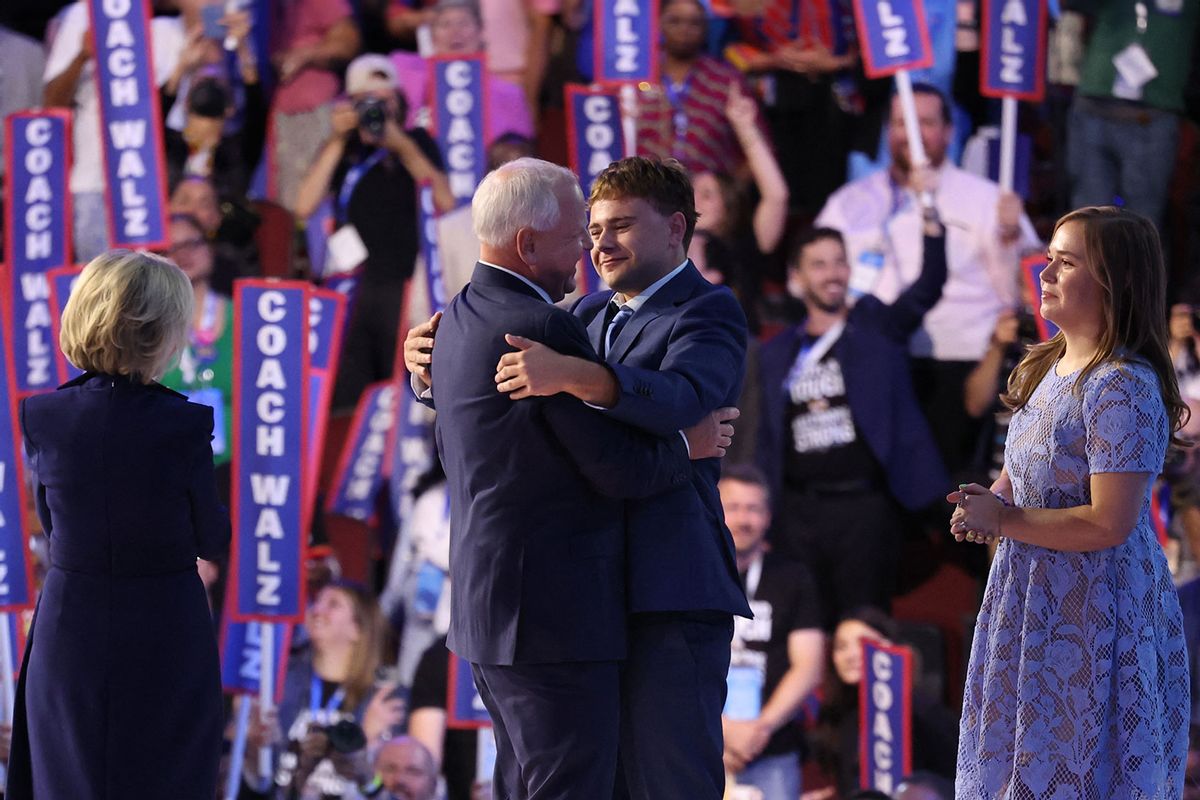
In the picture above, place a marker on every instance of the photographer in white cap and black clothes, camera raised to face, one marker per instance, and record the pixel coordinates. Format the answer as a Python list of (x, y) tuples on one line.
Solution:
[(370, 170)]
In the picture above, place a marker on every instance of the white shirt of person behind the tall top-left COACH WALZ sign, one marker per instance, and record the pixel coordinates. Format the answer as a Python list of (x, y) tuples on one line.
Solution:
[(88, 166)]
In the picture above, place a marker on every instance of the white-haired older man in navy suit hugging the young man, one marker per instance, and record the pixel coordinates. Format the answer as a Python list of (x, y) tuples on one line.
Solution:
[(537, 542)]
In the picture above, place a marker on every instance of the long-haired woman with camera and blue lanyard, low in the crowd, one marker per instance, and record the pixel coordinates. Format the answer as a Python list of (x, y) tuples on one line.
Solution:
[(333, 715)]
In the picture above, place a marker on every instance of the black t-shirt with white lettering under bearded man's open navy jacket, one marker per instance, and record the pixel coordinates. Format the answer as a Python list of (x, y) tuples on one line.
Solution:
[(823, 441)]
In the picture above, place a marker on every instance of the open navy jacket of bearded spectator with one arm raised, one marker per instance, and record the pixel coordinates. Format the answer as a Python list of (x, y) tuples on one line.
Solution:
[(874, 356)]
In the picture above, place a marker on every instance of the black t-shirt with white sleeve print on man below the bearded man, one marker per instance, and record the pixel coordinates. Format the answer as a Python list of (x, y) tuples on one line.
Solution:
[(784, 601)]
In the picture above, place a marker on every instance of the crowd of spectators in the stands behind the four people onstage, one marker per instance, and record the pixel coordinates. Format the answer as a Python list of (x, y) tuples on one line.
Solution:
[(887, 300)]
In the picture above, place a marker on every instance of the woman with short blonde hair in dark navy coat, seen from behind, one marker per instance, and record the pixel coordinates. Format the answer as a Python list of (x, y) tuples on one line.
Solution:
[(121, 693)]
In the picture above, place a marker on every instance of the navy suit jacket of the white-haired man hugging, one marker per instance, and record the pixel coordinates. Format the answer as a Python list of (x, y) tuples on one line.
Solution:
[(537, 540)]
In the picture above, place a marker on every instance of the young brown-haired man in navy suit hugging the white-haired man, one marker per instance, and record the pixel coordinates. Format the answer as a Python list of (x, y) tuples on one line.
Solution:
[(674, 348)]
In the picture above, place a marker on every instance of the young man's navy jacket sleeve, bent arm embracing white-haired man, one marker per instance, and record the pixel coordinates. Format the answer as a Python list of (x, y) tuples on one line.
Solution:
[(704, 368)]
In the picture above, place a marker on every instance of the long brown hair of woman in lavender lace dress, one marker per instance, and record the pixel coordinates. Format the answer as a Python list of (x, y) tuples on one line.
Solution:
[(1125, 256)]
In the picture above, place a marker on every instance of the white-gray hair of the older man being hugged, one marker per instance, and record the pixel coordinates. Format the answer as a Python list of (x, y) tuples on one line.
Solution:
[(520, 194)]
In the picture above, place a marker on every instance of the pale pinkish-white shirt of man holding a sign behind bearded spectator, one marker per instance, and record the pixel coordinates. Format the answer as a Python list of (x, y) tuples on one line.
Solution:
[(884, 222)]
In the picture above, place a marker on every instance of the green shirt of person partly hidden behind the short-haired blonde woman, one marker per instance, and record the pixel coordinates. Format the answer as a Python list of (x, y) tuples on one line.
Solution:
[(205, 370)]
